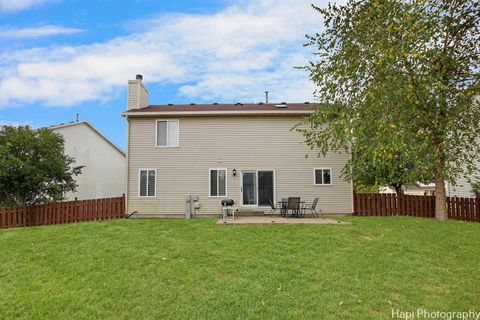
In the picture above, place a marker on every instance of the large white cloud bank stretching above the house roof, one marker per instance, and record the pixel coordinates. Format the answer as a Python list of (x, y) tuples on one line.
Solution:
[(231, 55)]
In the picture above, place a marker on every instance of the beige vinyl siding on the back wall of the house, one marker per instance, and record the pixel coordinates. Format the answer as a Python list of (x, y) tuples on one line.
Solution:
[(241, 143)]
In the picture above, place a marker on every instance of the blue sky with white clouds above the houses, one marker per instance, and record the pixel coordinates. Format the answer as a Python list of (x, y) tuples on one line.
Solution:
[(59, 58)]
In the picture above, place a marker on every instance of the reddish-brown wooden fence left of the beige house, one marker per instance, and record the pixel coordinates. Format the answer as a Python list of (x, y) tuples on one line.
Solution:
[(63, 212)]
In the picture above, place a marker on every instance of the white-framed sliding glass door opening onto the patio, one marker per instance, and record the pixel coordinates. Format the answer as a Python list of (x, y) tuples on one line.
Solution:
[(258, 187)]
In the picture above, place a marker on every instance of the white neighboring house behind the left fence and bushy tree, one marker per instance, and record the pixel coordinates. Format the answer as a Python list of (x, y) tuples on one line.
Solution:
[(103, 175)]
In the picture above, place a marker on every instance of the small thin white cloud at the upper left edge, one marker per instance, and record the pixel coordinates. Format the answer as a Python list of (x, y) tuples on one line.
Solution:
[(39, 32)]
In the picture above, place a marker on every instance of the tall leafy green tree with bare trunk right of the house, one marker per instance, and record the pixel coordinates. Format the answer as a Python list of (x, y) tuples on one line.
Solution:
[(409, 69)]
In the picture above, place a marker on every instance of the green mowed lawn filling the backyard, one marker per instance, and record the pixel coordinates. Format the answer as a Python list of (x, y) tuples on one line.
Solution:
[(157, 269)]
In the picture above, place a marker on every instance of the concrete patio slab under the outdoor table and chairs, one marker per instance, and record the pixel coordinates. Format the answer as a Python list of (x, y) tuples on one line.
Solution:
[(279, 220)]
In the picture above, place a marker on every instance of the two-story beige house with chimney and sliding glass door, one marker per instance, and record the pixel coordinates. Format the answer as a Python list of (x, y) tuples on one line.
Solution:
[(244, 152)]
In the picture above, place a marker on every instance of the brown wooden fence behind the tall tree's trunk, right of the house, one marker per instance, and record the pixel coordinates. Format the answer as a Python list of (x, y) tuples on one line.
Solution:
[(391, 204)]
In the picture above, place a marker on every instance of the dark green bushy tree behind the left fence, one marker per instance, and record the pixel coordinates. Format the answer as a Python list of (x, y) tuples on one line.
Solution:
[(33, 166)]
